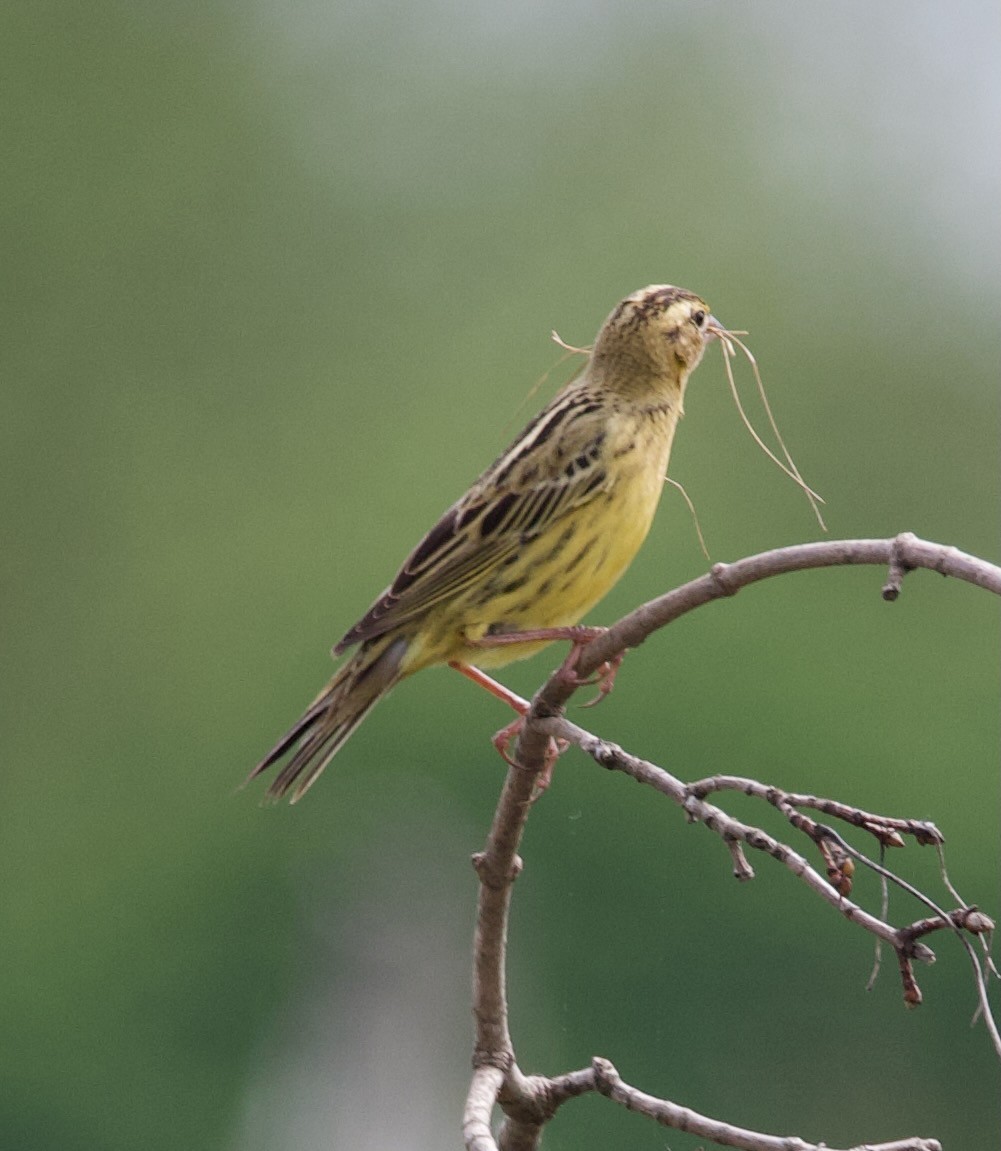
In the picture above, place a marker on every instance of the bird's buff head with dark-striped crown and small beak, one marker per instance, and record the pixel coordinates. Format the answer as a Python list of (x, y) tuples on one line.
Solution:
[(654, 338)]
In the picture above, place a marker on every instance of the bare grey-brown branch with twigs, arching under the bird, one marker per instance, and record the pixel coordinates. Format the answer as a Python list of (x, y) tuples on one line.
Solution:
[(530, 1102)]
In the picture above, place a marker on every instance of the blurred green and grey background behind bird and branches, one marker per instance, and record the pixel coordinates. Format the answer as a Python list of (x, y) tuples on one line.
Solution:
[(278, 283)]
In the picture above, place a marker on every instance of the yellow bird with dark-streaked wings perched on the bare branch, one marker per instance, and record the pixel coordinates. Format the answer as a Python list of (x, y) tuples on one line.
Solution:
[(538, 540)]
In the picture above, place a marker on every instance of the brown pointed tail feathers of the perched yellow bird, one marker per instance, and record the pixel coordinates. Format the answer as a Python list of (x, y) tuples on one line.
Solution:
[(331, 719)]
